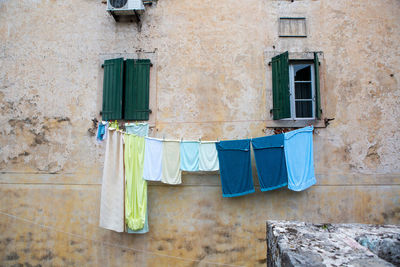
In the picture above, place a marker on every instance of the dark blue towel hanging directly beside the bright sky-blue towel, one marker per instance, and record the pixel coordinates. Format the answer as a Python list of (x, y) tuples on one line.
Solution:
[(270, 161)]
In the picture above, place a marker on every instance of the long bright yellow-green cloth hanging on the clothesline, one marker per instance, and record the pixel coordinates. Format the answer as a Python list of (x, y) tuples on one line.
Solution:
[(136, 186)]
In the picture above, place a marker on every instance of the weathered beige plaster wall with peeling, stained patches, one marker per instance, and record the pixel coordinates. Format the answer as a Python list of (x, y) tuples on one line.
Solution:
[(211, 82)]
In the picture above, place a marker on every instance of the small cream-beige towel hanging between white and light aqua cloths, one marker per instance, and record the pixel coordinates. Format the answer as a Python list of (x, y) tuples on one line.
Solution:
[(171, 171)]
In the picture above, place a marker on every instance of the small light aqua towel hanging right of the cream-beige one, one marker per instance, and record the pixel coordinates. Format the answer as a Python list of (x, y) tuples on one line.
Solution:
[(190, 156)]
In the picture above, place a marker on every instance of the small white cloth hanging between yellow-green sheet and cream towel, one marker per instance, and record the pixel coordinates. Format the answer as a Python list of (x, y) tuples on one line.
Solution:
[(153, 159)]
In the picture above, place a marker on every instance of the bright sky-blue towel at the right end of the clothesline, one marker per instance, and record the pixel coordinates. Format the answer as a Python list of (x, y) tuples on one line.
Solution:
[(298, 146)]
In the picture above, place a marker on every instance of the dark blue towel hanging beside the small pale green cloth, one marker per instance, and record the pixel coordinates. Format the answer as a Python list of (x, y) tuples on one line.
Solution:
[(235, 167)]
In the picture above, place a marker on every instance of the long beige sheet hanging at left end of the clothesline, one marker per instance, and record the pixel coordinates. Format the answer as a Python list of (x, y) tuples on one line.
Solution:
[(112, 187)]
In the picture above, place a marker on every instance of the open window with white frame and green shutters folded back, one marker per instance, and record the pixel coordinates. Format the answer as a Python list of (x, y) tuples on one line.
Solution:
[(295, 88)]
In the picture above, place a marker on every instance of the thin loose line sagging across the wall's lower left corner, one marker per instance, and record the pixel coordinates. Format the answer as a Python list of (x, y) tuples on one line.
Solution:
[(110, 244)]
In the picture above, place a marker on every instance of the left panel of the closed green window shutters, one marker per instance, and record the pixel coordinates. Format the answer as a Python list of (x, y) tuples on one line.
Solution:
[(112, 89)]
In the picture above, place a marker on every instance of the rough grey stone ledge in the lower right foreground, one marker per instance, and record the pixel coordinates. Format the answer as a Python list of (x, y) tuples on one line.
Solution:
[(292, 243)]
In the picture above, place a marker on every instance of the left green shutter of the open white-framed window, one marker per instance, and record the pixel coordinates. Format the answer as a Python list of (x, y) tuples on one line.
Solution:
[(280, 86)]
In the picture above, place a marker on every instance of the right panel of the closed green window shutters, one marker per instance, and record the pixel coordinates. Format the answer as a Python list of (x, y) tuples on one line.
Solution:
[(137, 79)]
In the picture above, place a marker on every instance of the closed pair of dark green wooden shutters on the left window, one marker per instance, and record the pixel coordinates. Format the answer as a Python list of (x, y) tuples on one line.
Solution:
[(126, 89)]
